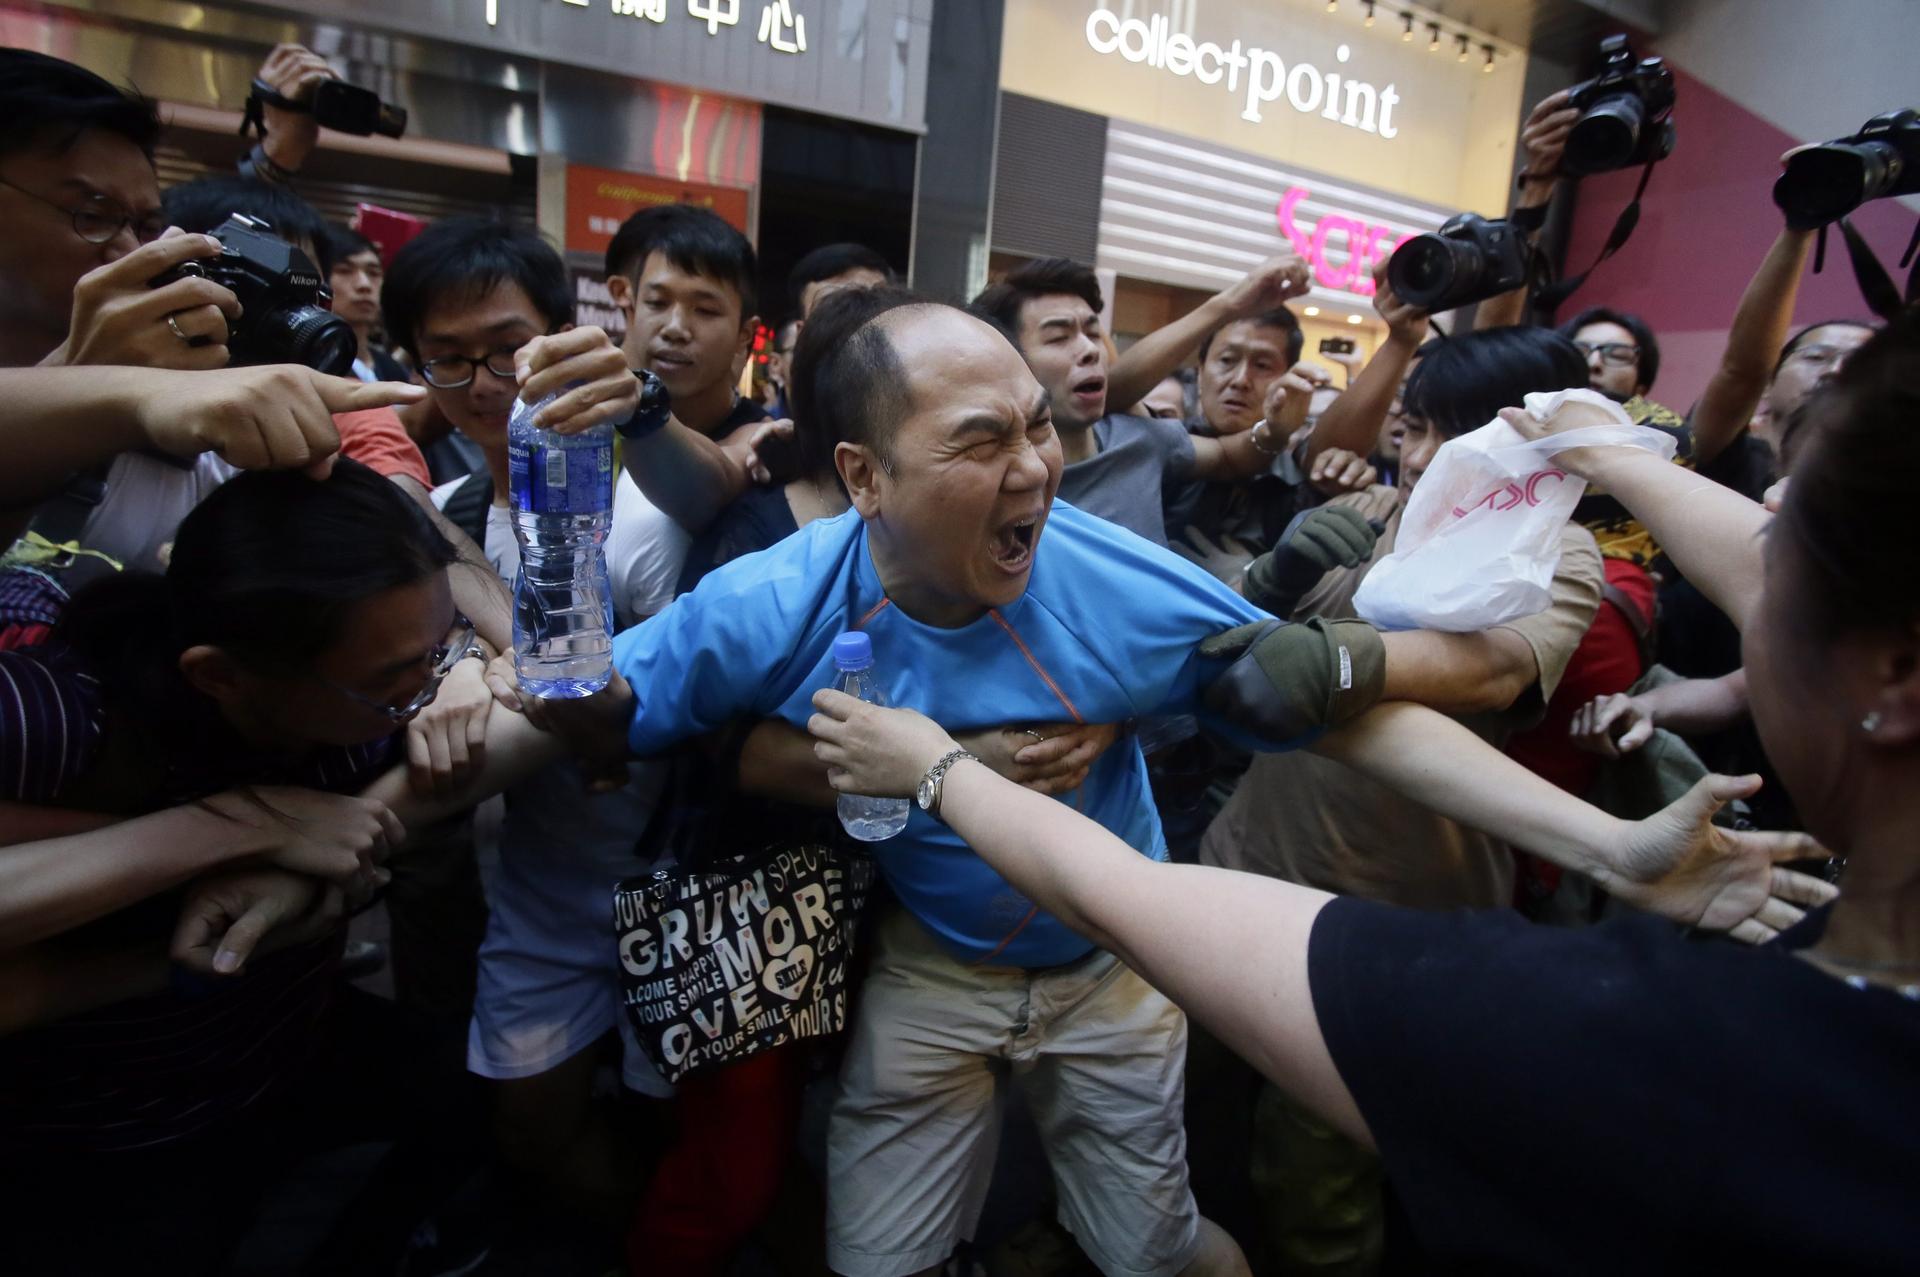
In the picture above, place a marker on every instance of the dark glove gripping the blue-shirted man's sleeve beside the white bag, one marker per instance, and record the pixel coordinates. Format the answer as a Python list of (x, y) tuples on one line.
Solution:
[(1291, 681)]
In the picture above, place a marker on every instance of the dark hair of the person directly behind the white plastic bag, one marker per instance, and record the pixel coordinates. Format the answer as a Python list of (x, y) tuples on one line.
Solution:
[(1462, 383)]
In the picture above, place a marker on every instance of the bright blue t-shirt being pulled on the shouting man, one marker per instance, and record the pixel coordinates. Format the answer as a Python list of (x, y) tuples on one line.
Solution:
[(1105, 633)]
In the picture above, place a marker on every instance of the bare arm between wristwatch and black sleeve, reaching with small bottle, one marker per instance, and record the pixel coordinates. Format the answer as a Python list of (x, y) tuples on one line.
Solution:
[(1195, 934)]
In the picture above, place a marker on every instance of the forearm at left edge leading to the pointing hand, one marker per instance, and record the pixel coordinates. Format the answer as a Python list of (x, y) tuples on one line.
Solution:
[(62, 422)]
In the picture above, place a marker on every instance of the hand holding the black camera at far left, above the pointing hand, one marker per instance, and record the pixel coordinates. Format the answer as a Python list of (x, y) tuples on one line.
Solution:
[(120, 318)]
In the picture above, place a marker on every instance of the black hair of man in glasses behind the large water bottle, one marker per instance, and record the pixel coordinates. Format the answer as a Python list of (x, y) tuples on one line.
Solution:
[(468, 258)]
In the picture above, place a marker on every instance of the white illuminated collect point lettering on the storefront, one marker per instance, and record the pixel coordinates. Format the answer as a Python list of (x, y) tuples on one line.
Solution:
[(1307, 89)]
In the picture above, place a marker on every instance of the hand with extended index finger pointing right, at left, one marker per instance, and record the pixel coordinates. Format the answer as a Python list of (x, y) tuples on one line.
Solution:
[(258, 420)]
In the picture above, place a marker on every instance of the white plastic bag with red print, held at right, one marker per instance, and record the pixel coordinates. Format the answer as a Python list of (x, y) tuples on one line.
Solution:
[(1479, 541)]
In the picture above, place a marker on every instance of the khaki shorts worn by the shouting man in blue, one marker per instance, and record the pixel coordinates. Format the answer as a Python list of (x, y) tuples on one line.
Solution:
[(1103, 1061)]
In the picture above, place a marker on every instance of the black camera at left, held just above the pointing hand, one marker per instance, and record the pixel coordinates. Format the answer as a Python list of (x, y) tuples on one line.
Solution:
[(283, 316)]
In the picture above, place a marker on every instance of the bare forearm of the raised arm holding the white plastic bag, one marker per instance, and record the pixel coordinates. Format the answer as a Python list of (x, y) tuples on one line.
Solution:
[(1712, 533)]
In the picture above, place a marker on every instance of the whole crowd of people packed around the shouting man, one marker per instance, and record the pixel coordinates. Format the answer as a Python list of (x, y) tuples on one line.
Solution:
[(1228, 932)]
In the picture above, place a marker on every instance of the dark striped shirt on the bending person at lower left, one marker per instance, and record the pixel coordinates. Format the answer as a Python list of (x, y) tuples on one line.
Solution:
[(166, 1067)]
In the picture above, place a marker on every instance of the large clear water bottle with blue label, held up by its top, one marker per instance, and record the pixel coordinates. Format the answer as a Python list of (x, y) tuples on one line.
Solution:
[(562, 600)]
